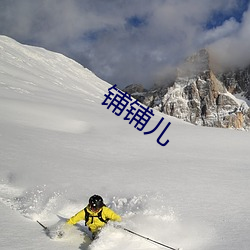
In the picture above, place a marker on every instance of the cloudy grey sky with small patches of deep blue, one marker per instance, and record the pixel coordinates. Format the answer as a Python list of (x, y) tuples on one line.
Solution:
[(132, 41)]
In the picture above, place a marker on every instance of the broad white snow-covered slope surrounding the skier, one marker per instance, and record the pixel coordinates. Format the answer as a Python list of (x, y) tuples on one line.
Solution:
[(59, 146)]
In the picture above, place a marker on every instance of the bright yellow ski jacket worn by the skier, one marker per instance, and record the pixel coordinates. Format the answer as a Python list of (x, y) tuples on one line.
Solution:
[(94, 223)]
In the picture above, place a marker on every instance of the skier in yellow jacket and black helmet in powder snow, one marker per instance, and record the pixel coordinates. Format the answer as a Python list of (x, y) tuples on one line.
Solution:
[(95, 214)]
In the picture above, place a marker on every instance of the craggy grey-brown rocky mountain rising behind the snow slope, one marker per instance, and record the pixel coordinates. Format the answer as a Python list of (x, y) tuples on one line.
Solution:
[(201, 97)]
